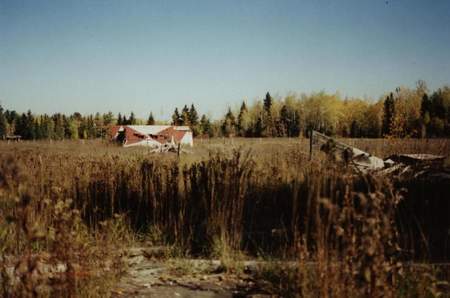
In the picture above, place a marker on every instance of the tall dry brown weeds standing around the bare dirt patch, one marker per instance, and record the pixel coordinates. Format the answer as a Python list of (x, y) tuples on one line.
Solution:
[(62, 205)]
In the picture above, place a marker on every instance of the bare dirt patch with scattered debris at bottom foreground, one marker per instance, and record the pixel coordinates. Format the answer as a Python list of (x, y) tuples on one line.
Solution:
[(147, 276)]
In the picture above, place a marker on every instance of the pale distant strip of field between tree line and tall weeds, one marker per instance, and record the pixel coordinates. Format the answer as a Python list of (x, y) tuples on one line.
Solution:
[(259, 146)]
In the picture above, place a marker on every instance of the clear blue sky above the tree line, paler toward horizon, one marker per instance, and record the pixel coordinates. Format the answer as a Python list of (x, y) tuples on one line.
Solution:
[(142, 56)]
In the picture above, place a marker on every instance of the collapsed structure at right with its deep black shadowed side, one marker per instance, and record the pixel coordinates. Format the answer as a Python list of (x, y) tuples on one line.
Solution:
[(424, 179)]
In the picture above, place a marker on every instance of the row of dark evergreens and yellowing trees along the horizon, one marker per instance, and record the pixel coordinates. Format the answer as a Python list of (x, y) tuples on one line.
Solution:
[(404, 112)]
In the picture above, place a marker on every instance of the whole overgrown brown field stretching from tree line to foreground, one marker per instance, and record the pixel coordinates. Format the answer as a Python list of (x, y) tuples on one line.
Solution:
[(78, 207)]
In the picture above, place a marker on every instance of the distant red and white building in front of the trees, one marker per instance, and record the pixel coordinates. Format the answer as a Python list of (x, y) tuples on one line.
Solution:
[(152, 135)]
